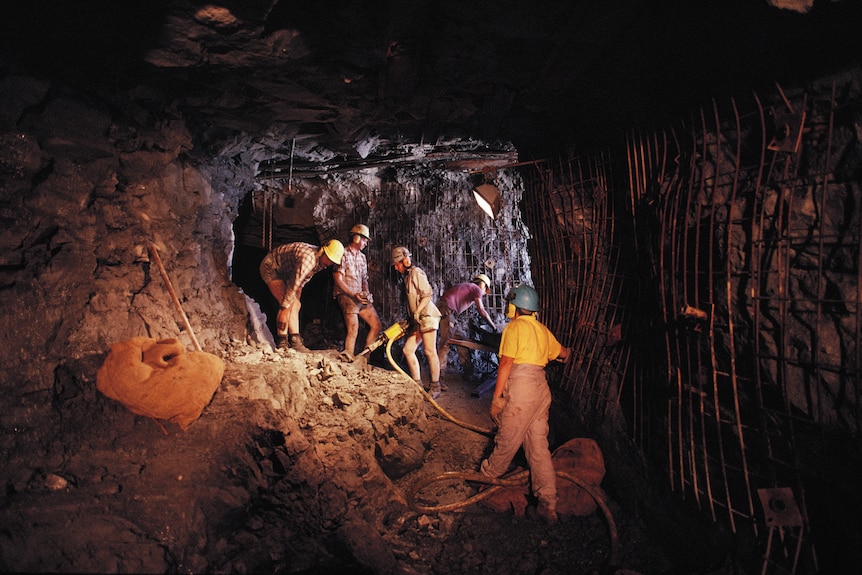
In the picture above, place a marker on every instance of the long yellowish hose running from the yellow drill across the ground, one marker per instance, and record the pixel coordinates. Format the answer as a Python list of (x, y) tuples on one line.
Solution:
[(518, 479)]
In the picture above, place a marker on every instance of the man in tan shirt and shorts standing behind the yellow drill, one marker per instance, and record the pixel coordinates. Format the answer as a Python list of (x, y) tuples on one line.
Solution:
[(424, 315)]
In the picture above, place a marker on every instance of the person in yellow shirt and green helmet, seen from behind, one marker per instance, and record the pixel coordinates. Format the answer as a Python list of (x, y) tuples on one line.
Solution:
[(522, 398)]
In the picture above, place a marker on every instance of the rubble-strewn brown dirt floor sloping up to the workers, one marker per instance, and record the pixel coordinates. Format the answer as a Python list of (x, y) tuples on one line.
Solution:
[(300, 464)]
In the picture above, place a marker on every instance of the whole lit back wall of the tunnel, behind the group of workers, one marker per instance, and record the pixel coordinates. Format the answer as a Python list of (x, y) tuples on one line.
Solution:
[(426, 208)]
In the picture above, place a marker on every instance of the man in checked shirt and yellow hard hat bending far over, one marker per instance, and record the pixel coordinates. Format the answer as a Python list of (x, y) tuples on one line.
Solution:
[(285, 270)]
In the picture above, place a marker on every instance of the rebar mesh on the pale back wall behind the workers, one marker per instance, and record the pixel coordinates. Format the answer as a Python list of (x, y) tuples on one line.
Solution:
[(432, 212)]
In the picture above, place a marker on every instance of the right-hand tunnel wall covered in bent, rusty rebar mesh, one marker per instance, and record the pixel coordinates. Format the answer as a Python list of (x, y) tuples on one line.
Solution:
[(707, 276)]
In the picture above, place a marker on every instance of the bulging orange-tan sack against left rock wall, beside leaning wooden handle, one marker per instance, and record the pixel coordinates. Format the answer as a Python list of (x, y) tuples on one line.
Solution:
[(158, 379)]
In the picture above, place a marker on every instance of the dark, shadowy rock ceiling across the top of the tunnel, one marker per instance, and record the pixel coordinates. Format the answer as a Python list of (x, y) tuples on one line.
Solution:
[(360, 77)]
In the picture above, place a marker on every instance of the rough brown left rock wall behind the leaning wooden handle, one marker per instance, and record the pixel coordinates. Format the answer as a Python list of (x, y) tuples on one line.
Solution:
[(88, 183)]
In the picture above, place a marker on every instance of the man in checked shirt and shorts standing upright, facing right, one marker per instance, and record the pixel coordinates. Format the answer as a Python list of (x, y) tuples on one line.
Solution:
[(351, 291)]
